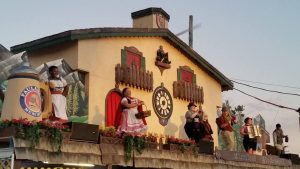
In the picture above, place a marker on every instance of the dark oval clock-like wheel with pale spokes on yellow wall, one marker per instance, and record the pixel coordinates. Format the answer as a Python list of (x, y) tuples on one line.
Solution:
[(162, 104)]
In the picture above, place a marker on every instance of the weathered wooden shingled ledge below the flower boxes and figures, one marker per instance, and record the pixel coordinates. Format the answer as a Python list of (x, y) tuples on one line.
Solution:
[(109, 154)]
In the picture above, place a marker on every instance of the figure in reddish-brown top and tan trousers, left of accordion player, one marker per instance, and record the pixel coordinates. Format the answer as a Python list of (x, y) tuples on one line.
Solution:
[(225, 122)]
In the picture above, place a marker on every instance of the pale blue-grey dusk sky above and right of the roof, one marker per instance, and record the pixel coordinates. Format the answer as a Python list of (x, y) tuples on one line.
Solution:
[(257, 40)]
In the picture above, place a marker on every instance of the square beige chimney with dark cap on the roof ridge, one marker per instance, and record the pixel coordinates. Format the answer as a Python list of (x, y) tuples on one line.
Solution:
[(150, 18)]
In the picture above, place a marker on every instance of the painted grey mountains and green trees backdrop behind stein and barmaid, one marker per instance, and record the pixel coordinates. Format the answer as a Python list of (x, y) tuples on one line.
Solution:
[(77, 102)]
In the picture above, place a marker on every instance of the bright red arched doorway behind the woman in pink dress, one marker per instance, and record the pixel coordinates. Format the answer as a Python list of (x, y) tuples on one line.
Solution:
[(113, 108)]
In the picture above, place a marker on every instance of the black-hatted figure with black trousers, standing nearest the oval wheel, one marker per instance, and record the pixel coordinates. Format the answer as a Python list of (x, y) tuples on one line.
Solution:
[(192, 117)]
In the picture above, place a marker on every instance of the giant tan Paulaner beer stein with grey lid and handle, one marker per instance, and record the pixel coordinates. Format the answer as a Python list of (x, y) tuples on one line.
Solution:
[(23, 97)]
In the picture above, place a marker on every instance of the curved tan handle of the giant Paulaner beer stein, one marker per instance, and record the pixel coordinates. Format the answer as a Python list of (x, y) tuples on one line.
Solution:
[(47, 100)]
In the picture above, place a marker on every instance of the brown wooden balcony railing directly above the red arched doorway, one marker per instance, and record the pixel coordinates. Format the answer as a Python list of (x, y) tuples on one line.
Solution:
[(132, 76)]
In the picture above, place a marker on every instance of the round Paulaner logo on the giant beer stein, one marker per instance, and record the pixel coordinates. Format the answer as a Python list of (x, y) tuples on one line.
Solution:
[(30, 101)]
